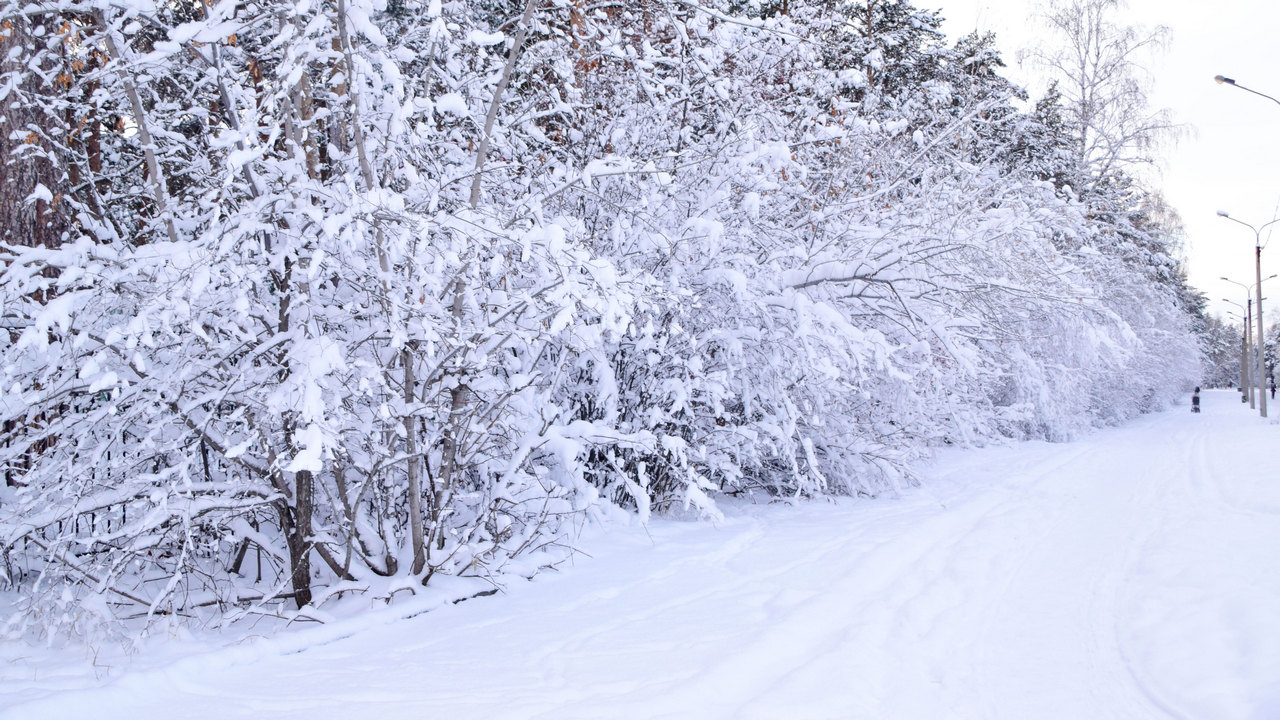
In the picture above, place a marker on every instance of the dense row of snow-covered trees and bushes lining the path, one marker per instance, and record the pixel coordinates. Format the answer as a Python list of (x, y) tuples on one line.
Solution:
[(316, 298)]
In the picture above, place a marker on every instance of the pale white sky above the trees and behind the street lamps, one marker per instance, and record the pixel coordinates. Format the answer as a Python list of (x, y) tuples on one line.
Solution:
[(1231, 157)]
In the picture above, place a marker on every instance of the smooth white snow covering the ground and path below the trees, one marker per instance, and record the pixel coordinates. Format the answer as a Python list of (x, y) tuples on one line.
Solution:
[(1127, 576)]
